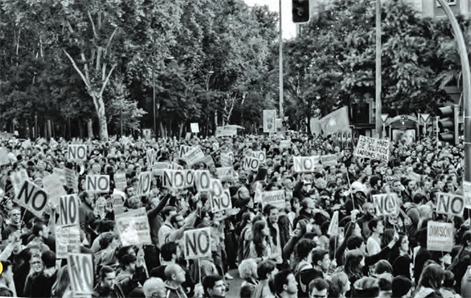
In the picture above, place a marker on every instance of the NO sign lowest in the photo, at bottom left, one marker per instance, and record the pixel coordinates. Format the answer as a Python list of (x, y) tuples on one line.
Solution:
[(80, 267)]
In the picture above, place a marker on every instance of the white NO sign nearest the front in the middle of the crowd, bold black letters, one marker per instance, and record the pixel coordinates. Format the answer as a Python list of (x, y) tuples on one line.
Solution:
[(197, 243)]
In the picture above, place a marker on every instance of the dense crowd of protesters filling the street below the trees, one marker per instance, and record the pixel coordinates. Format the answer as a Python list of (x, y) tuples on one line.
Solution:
[(279, 252)]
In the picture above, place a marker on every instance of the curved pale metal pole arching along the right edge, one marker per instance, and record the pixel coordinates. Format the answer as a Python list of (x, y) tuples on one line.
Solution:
[(466, 88)]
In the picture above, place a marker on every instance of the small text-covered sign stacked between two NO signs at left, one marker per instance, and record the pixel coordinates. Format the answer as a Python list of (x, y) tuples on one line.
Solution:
[(67, 241)]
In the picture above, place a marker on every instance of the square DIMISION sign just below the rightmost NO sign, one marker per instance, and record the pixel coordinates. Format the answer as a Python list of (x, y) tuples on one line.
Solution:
[(440, 236)]
